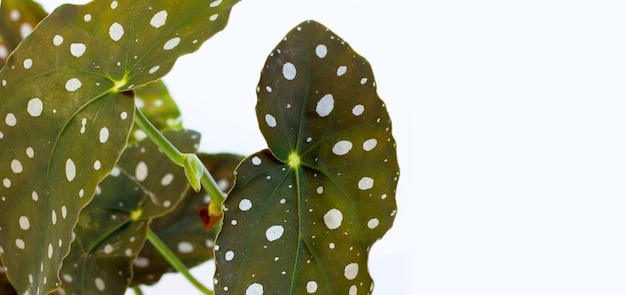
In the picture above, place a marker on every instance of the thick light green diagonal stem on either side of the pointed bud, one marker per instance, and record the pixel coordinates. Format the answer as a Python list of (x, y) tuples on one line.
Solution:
[(207, 180)]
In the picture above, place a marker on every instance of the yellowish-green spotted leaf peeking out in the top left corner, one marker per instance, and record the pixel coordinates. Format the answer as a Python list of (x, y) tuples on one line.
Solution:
[(17, 20)]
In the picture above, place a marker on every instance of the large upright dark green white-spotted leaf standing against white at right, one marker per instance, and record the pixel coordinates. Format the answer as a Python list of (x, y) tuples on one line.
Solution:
[(304, 214)]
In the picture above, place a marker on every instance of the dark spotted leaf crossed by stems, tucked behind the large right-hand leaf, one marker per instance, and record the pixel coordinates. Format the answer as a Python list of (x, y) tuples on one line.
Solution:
[(182, 230)]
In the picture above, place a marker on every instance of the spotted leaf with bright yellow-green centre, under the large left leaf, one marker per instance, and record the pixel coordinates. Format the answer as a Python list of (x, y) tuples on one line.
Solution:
[(112, 229)]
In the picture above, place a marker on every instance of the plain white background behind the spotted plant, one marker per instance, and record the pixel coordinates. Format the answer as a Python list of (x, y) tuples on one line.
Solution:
[(510, 120)]
